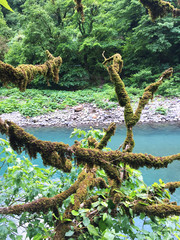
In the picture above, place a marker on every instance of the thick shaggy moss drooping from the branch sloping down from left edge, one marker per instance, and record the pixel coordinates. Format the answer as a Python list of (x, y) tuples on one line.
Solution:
[(53, 154)]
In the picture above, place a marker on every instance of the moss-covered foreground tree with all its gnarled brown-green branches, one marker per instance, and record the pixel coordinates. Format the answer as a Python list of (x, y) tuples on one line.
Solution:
[(116, 166)]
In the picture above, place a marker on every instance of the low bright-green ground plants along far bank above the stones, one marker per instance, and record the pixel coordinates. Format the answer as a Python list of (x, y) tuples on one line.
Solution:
[(35, 102)]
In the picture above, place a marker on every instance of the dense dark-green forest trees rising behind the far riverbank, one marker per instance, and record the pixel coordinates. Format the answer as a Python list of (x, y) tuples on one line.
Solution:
[(112, 26)]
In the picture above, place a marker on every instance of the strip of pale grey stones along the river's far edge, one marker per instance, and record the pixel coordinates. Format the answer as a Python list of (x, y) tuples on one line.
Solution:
[(160, 110)]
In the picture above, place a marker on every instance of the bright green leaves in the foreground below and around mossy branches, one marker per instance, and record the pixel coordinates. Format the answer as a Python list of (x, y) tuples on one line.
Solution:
[(29, 182)]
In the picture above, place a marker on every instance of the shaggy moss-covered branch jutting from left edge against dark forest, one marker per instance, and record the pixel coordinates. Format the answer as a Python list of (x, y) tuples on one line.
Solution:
[(25, 73)]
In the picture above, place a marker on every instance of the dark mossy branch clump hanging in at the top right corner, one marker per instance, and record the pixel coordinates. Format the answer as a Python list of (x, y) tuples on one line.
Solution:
[(157, 8)]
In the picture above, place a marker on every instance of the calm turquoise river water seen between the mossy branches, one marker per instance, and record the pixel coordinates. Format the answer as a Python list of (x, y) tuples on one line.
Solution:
[(158, 140)]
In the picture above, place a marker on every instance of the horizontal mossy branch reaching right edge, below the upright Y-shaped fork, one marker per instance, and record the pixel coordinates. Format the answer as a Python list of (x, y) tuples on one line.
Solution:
[(108, 159)]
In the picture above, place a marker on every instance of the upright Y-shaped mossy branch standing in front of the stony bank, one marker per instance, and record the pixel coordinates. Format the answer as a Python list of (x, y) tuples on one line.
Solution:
[(114, 66)]
